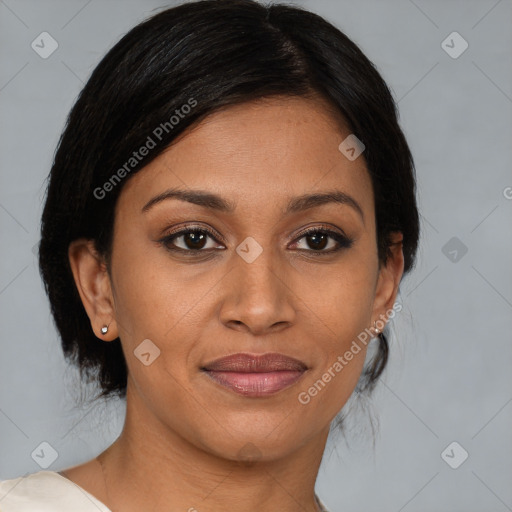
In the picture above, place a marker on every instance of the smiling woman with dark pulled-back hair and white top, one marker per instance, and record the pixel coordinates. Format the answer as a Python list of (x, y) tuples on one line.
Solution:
[(229, 215)]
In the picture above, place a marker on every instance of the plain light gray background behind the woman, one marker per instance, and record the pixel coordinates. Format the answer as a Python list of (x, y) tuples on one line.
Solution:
[(449, 377)]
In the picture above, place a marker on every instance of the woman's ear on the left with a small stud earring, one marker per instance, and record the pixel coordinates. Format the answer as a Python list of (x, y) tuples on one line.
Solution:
[(93, 284)]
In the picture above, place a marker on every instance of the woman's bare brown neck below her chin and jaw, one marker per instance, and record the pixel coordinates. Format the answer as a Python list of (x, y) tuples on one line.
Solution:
[(152, 467)]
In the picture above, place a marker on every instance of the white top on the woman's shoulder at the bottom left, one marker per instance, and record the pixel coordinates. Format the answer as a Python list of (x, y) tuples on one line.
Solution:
[(48, 491)]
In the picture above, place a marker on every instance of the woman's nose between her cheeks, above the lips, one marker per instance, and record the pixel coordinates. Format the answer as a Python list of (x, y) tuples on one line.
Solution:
[(257, 297)]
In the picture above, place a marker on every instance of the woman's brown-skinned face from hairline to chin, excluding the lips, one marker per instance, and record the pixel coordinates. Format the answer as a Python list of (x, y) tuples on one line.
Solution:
[(206, 278)]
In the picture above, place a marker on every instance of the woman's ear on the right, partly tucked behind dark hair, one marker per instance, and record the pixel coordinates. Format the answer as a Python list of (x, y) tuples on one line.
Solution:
[(388, 280)]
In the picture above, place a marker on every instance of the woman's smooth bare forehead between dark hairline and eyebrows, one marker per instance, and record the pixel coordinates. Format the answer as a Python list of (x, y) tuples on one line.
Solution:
[(262, 152)]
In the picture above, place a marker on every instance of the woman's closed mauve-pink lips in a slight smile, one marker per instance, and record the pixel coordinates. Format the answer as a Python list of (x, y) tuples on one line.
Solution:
[(255, 375)]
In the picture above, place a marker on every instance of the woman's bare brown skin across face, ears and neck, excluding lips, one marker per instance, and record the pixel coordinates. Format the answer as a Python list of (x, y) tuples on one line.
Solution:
[(184, 436)]
